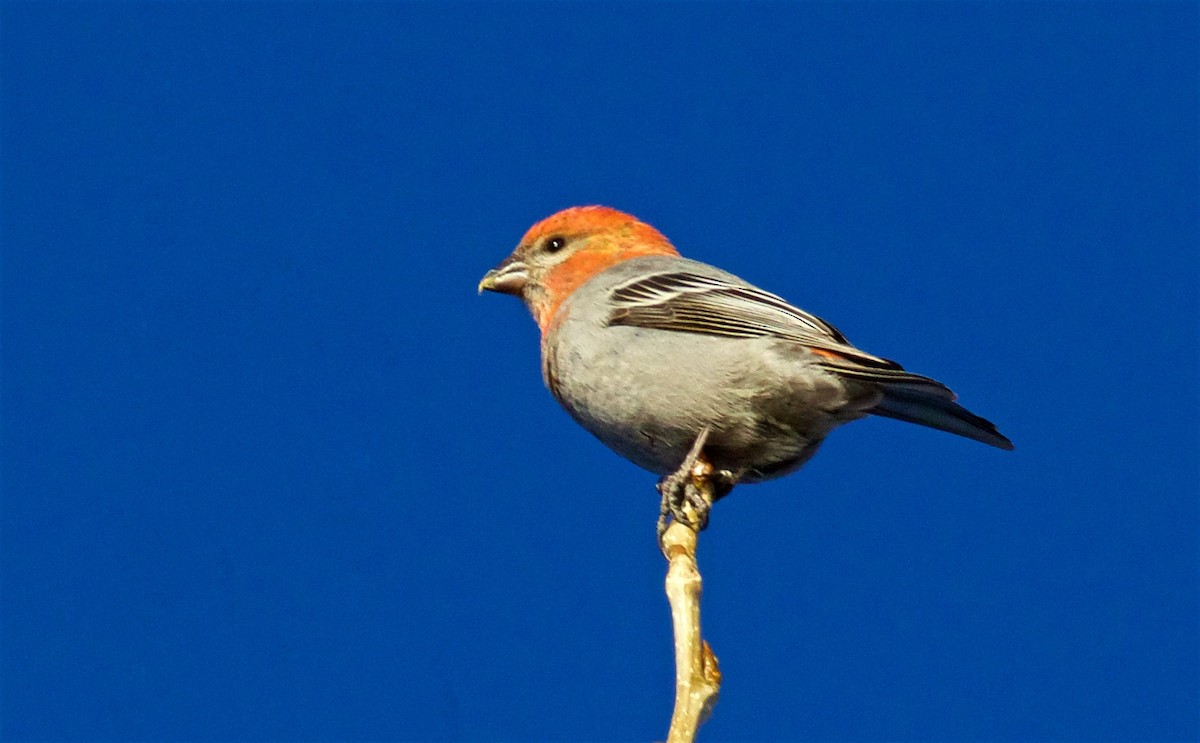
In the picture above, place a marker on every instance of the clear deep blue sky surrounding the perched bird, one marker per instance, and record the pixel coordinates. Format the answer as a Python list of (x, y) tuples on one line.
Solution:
[(273, 471)]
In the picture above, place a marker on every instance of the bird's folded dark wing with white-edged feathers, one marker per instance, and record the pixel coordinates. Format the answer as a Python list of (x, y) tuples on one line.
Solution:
[(685, 302)]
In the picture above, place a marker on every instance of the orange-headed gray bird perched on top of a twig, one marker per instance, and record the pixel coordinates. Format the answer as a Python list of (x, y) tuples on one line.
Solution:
[(669, 361)]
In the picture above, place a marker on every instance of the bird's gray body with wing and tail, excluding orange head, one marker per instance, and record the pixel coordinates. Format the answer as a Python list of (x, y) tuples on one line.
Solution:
[(649, 352)]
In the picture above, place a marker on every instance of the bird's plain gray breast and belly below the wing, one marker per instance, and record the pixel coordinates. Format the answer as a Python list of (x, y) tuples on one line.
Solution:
[(647, 394)]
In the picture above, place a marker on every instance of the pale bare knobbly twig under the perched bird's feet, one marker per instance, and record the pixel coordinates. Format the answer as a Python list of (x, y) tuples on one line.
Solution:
[(698, 676)]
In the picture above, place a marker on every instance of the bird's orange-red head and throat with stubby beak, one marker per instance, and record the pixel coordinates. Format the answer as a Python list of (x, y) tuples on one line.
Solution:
[(567, 249)]
